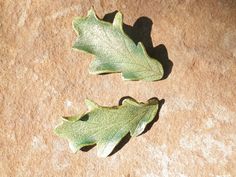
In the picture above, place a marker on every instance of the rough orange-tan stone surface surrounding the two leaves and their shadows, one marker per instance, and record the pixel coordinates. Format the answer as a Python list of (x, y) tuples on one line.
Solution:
[(42, 78)]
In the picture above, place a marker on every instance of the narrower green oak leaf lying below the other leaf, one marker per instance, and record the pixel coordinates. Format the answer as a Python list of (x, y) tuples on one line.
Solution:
[(106, 126)]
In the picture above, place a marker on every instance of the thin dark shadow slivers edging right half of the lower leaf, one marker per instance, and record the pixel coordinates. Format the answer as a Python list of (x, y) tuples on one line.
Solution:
[(126, 139)]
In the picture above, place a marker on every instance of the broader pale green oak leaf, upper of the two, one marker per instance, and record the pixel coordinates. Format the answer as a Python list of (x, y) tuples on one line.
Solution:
[(115, 52)]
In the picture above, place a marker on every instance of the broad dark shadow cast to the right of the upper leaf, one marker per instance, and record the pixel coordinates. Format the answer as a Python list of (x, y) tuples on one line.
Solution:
[(141, 32)]
